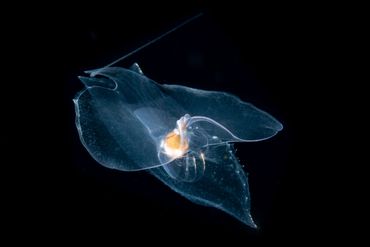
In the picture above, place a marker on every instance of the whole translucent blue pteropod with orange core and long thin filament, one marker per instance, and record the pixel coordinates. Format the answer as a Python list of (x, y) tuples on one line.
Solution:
[(181, 135)]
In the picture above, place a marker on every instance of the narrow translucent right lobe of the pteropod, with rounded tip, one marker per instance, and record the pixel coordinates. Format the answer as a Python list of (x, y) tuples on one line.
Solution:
[(244, 120)]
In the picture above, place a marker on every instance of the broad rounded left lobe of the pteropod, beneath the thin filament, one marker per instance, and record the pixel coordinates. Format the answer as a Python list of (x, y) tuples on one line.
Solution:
[(107, 109)]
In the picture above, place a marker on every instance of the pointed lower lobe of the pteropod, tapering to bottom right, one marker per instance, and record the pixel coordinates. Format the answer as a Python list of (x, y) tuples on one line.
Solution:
[(224, 185)]
